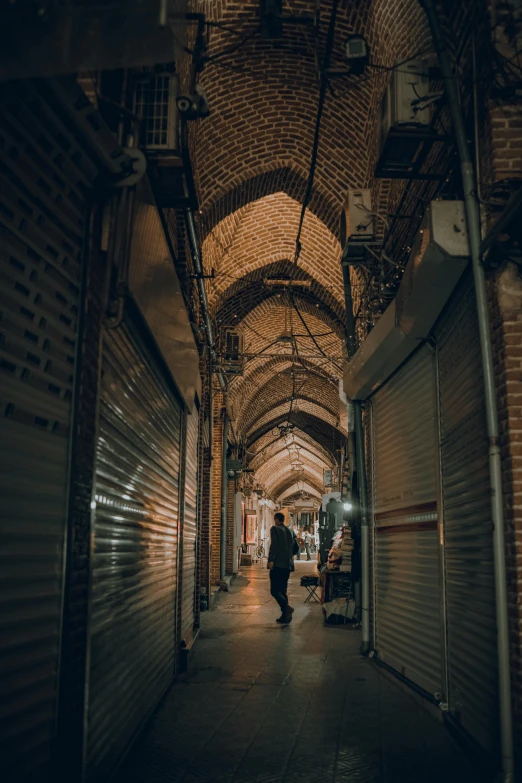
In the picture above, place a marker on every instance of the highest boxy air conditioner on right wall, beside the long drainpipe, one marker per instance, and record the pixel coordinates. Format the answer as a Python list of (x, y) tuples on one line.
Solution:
[(404, 115)]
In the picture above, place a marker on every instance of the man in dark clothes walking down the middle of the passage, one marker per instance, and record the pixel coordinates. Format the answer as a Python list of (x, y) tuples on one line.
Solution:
[(283, 547)]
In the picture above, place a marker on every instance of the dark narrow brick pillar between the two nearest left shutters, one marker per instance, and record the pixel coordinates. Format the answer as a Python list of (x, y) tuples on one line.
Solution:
[(74, 660)]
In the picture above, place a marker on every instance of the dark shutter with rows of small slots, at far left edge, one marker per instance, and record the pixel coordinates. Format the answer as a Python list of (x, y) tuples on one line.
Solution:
[(45, 178)]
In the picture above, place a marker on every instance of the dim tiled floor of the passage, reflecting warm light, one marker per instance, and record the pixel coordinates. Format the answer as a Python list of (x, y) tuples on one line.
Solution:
[(267, 703)]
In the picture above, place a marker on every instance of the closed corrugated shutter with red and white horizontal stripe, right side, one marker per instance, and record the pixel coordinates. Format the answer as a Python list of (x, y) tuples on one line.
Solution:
[(409, 635)]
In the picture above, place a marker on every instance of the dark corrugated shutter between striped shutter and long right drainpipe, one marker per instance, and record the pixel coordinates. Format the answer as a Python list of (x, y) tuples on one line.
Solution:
[(470, 592)]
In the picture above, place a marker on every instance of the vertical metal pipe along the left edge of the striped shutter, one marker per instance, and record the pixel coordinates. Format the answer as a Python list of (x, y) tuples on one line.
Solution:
[(365, 537)]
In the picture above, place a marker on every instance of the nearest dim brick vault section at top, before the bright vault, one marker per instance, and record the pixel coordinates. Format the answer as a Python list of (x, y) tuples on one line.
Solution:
[(263, 99)]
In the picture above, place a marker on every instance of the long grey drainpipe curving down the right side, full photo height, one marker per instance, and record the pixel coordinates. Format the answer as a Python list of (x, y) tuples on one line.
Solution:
[(473, 226)]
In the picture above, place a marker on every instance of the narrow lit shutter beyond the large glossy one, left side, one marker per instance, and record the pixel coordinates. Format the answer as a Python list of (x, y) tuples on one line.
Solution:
[(190, 528)]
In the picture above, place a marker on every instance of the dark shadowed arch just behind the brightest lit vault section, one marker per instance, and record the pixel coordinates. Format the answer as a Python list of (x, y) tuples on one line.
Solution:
[(247, 293)]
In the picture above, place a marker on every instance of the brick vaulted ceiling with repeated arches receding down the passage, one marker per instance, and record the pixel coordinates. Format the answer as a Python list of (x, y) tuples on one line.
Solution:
[(251, 160)]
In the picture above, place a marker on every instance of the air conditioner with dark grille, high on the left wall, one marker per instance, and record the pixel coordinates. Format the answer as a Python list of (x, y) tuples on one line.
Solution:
[(155, 104)]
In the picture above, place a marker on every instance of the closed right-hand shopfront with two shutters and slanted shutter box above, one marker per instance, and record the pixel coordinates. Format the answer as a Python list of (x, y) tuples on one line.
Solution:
[(433, 603)]
